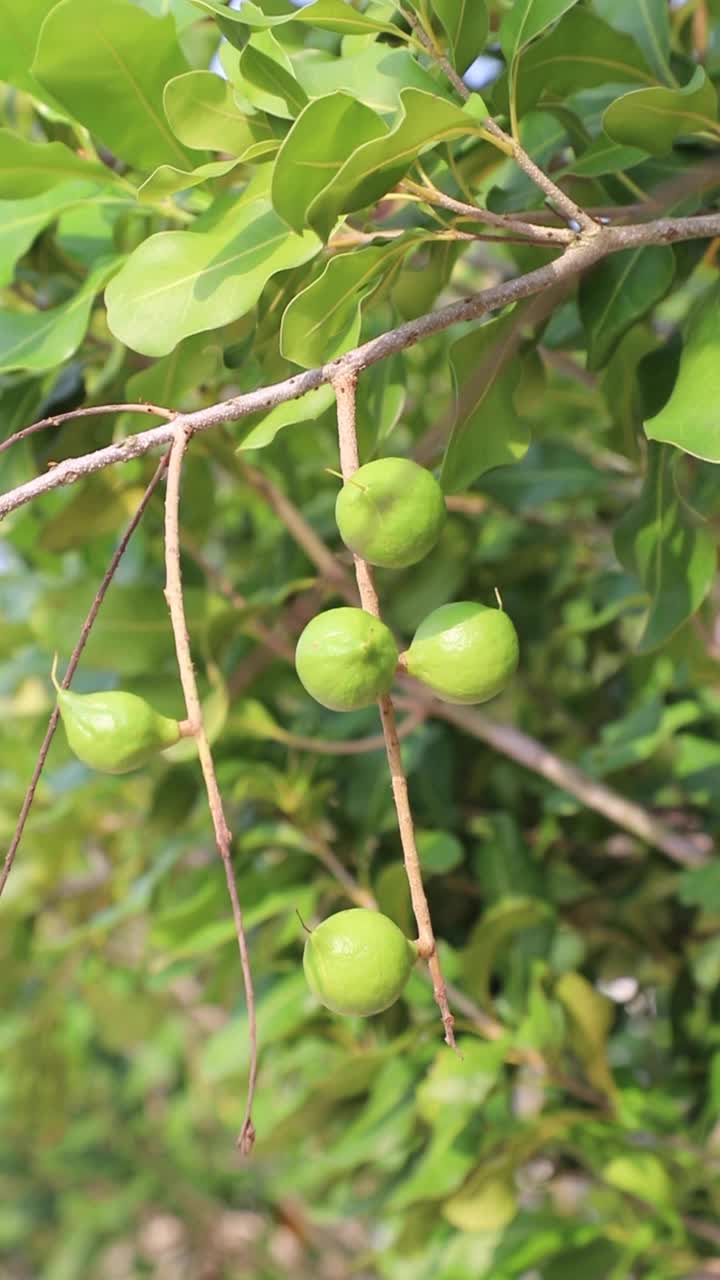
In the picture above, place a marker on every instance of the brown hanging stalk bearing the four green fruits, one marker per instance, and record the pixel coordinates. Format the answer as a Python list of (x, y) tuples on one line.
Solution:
[(345, 388)]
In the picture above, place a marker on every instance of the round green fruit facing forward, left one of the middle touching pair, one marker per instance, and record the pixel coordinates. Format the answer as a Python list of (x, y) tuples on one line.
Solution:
[(347, 660)]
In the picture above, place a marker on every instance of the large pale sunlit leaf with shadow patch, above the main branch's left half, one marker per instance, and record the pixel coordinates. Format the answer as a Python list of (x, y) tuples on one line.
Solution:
[(179, 284)]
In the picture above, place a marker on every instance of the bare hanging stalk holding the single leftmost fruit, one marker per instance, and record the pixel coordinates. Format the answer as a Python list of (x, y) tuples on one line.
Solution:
[(176, 606)]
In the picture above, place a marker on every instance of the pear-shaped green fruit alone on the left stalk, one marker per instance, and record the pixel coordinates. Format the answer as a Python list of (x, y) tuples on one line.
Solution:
[(115, 733)]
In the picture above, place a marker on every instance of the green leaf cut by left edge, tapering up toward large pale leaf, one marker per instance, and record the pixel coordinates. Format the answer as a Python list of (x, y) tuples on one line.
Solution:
[(42, 340)]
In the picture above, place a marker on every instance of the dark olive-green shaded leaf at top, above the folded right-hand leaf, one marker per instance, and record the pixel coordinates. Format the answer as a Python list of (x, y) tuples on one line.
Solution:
[(582, 53)]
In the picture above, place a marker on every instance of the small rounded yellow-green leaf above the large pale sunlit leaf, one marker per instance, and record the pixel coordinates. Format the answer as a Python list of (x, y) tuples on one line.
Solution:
[(203, 115)]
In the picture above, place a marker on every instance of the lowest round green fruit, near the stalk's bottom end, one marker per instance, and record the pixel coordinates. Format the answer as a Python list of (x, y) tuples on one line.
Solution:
[(358, 962)]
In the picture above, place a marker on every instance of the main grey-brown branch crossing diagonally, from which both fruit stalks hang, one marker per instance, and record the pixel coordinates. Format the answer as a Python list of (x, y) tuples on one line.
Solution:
[(578, 258)]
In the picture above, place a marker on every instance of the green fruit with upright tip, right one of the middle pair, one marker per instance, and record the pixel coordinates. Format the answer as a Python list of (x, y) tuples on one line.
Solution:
[(464, 652)]
